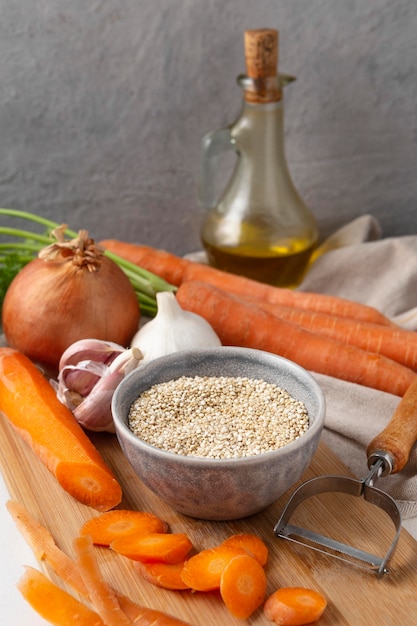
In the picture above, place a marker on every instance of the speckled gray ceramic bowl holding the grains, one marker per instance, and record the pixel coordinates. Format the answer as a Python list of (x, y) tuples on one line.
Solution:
[(229, 488)]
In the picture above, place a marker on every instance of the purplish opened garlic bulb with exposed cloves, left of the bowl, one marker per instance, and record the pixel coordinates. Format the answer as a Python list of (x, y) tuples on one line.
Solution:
[(90, 370)]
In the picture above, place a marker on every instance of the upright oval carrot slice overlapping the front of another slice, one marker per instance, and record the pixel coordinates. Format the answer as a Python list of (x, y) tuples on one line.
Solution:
[(243, 585)]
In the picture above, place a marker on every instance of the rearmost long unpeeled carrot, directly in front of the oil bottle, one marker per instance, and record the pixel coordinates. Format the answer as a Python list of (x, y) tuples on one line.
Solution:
[(177, 271)]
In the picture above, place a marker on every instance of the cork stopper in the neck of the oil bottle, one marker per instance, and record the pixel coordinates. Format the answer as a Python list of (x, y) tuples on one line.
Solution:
[(261, 56)]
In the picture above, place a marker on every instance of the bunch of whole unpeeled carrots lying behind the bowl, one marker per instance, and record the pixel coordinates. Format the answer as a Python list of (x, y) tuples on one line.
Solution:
[(322, 333)]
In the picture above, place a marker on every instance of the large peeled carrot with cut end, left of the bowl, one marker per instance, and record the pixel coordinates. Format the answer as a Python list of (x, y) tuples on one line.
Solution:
[(50, 429)]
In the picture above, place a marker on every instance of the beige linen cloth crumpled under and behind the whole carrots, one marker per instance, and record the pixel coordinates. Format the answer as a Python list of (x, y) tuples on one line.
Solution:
[(358, 264)]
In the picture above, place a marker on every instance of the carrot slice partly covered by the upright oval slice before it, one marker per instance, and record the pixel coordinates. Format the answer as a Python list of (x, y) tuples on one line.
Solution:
[(202, 572)]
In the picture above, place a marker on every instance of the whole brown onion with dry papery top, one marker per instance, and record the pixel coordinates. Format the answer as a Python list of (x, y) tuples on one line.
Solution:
[(73, 291)]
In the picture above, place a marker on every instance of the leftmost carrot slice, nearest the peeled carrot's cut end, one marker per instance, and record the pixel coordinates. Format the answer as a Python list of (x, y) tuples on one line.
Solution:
[(111, 525)]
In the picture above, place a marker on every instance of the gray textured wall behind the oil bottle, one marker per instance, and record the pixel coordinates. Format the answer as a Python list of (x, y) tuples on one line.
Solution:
[(103, 105)]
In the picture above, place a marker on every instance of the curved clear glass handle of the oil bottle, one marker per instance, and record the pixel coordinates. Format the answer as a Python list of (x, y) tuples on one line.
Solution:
[(212, 145)]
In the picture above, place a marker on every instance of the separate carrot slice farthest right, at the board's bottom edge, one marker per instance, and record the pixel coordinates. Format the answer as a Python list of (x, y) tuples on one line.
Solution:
[(294, 606)]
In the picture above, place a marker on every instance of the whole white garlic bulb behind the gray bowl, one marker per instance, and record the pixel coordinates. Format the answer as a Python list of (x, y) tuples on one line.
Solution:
[(173, 329)]
